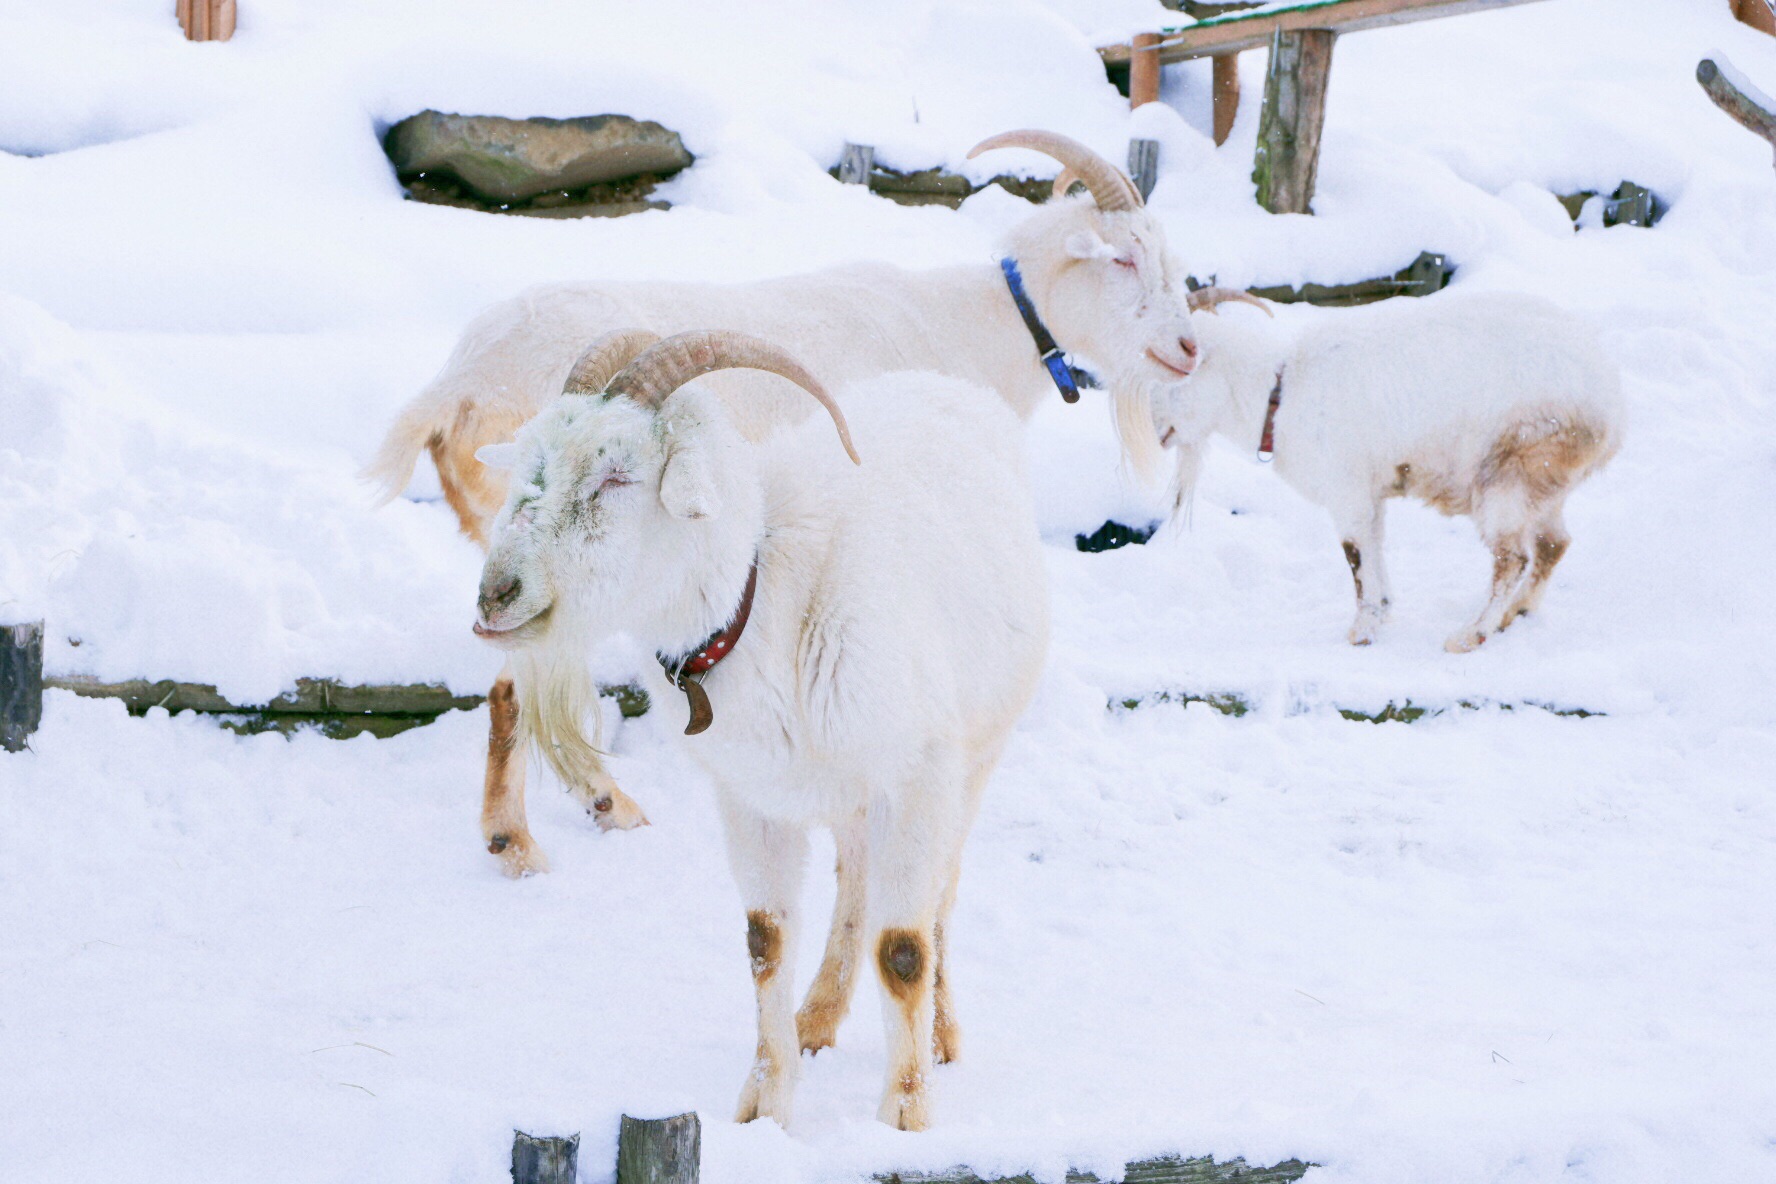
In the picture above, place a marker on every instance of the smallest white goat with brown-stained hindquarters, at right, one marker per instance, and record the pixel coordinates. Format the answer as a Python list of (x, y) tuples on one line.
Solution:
[(1486, 406)]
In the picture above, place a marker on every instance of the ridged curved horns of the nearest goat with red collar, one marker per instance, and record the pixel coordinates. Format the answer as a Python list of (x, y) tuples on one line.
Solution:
[(638, 367)]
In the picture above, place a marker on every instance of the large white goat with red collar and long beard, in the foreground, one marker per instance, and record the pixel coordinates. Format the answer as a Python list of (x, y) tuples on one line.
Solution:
[(896, 635)]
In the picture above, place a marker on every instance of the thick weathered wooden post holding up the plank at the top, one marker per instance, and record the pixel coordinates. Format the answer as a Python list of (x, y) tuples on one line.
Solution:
[(1288, 134)]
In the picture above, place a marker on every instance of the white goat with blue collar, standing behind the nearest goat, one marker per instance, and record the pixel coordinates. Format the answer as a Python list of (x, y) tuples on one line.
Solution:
[(1097, 271)]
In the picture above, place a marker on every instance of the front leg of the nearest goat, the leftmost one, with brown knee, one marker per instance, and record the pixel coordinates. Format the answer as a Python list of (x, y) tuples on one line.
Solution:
[(768, 862)]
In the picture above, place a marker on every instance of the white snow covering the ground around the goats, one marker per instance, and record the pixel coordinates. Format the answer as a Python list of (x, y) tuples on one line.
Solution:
[(1496, 947)]
